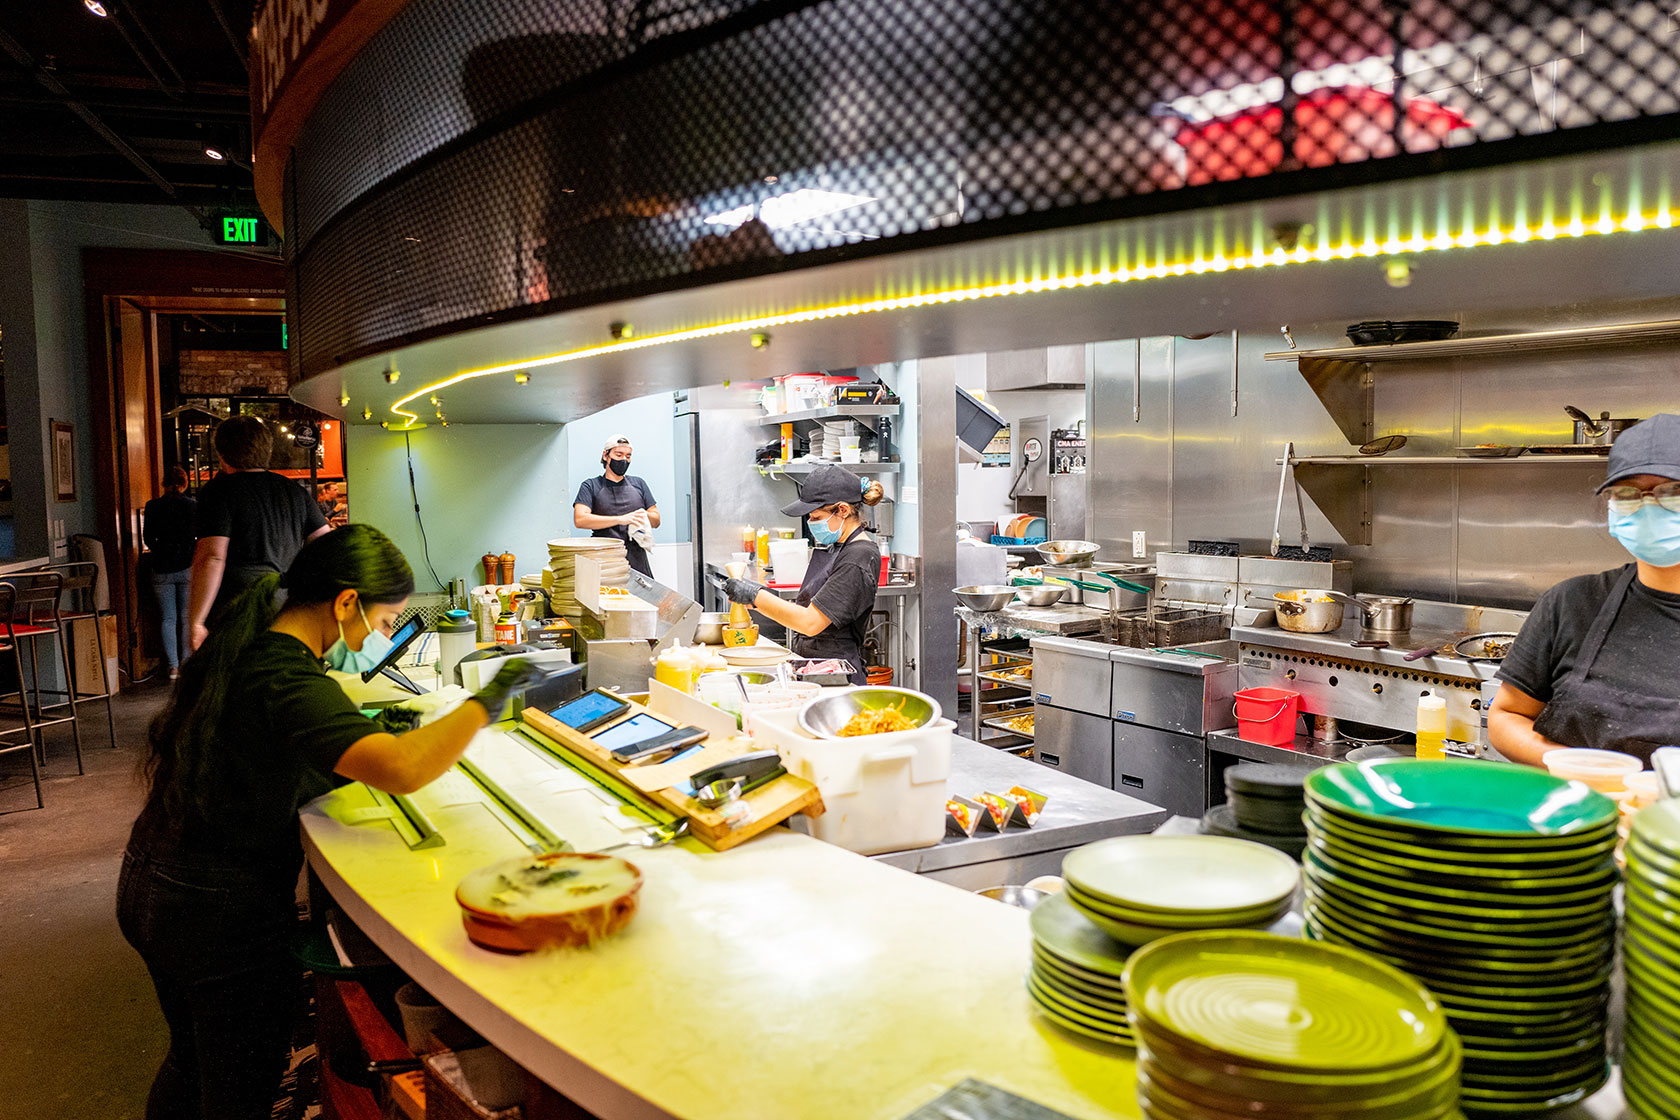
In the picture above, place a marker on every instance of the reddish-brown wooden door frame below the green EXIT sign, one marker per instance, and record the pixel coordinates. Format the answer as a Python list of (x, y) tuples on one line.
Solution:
[(127, 476)]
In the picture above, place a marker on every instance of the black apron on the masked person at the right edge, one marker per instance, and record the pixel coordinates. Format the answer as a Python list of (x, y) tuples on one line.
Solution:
[(1595, 714)]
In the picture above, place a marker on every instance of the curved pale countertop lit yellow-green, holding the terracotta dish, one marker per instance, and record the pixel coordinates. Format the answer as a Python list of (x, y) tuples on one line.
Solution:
[(780, 980)]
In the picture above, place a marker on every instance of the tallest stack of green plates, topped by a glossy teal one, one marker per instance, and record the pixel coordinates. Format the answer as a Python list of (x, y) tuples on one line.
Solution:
[(1493, 886)]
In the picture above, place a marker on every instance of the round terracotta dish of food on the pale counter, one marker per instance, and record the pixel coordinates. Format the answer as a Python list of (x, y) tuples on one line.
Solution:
[(560, 899)]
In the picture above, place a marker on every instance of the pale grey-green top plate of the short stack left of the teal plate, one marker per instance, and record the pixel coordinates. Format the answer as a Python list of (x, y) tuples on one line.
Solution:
[(1182, 874)]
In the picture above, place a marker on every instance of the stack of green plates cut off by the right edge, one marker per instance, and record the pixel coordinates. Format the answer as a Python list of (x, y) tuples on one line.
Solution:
[(1651, 961)]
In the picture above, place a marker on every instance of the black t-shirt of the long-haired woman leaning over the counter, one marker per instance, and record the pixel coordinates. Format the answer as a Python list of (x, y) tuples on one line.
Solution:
[(285, 730)]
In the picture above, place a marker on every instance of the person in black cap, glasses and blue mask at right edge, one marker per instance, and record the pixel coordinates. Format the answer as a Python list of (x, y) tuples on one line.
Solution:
[(1599, 662)]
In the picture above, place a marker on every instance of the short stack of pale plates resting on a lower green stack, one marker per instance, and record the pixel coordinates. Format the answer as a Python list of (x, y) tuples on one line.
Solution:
[(1138, 889)]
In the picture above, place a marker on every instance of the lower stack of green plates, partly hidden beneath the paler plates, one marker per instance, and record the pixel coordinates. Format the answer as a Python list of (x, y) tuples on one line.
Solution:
[(1076, 976)]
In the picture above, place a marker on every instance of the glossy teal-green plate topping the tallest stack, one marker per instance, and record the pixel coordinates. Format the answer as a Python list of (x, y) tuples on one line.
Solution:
[(1494, 800)]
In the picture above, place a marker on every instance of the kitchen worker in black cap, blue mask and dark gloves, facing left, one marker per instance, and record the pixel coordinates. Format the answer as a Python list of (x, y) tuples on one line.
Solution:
[(831, 615)]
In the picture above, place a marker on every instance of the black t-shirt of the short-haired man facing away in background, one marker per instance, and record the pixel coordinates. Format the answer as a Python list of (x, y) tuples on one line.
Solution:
[(266, 518)]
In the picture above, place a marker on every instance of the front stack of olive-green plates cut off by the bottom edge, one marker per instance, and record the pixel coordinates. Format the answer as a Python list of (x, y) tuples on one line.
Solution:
[(1256, 1025)]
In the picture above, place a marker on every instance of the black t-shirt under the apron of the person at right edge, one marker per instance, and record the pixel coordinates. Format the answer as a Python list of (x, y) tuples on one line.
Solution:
[(1641, 656)]
